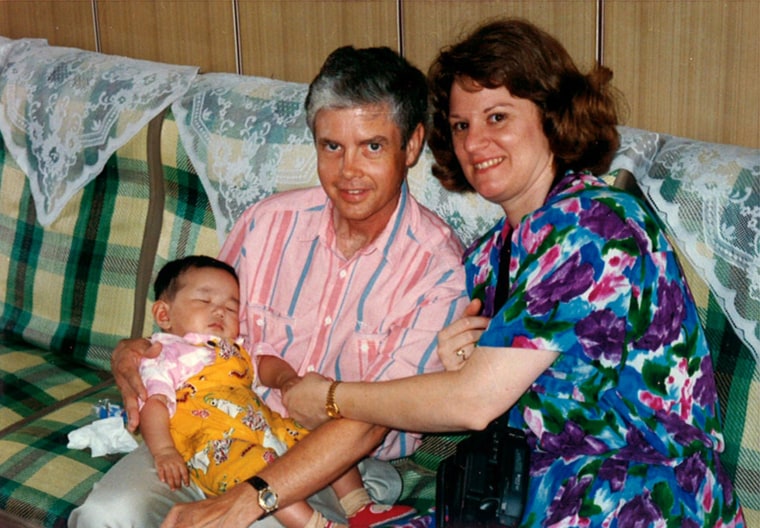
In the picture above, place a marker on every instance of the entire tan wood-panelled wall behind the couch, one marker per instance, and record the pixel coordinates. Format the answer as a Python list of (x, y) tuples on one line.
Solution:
[(686, 67)]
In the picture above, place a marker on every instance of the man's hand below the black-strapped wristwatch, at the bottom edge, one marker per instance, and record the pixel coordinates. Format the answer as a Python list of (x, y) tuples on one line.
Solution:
[(235, 508)]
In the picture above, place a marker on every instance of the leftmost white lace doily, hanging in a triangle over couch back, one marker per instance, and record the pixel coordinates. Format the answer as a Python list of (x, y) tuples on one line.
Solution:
[(65, 111)]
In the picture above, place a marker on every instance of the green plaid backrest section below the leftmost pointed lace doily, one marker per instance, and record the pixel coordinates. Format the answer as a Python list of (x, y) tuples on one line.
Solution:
[(69, 287)]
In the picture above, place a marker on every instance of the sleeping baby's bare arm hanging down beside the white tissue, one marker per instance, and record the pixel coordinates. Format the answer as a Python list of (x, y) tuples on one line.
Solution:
[(170, 466)]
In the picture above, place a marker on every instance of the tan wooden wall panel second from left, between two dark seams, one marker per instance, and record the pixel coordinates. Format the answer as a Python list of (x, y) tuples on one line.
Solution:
[(194, 32)]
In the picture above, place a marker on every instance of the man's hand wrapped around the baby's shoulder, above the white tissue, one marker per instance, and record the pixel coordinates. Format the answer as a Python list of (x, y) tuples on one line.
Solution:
[(125, 366)]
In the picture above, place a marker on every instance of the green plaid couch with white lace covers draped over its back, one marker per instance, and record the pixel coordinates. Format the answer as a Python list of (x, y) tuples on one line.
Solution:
[(167, 174)]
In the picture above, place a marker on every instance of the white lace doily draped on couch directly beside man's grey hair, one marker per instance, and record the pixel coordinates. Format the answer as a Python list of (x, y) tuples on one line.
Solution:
[(247, 138)]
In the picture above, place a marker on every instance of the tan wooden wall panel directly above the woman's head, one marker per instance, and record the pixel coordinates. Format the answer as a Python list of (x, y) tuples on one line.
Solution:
[(431, 24)]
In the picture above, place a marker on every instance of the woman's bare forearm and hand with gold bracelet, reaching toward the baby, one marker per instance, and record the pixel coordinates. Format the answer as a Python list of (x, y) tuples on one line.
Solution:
[(488, 384)]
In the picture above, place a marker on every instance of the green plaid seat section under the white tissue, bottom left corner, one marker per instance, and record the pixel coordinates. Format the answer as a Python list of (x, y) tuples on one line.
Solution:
[(41, 480)]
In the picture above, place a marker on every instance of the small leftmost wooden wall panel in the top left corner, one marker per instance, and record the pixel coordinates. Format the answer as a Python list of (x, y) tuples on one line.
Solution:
[(62, 22)]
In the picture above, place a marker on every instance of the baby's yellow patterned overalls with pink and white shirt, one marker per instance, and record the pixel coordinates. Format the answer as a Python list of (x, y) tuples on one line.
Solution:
[(220, 426)]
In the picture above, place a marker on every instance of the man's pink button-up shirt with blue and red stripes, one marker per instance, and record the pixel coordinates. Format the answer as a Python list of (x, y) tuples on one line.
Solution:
[(372, 317)]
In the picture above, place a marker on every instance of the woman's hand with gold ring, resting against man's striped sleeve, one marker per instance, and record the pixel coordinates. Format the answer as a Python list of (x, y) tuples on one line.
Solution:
[(457, 341)]
